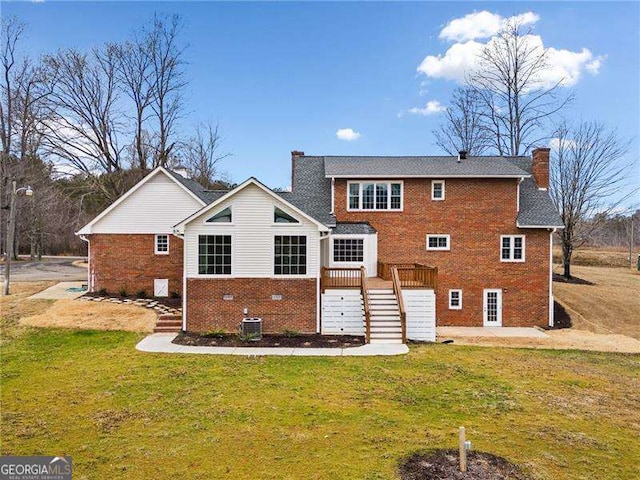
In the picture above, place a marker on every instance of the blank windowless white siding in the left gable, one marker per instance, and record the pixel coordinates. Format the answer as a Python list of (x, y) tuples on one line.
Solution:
[(155, 207)]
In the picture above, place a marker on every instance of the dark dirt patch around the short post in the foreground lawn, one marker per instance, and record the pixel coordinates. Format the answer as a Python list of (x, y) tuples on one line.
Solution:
[(443, 464)]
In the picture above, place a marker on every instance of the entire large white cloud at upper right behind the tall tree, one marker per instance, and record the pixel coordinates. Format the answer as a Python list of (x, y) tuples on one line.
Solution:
[(462, 57)]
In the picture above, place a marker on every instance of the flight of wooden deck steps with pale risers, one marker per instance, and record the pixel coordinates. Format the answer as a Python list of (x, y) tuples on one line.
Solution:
[(384, 316)]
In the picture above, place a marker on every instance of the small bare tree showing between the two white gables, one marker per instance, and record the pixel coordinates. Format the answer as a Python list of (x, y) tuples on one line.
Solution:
[(201, 155)]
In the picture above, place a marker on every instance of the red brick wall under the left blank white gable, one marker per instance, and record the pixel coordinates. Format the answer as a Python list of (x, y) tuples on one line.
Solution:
[(129, 262)]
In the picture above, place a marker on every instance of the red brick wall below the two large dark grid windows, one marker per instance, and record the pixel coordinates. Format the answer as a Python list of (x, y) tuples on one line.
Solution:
[(206, 309)]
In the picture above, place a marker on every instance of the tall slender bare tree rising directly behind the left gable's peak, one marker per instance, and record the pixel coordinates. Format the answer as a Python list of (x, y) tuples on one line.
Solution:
[(166, 82)]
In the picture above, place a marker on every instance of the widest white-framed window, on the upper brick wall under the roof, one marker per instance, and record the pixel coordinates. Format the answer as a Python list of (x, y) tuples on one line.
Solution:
[(374, 196)]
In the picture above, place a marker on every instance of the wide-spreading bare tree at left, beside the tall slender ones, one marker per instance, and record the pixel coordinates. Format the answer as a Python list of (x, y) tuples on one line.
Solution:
[(84, 122)]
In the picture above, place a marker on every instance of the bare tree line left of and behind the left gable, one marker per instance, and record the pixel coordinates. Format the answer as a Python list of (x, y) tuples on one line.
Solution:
[(81, 127)]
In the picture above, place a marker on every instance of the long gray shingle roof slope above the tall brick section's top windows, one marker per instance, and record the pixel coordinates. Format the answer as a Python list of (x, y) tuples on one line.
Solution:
[(444, 166)]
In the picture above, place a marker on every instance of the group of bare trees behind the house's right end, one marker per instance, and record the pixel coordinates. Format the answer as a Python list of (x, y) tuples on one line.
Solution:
[(507, 106)]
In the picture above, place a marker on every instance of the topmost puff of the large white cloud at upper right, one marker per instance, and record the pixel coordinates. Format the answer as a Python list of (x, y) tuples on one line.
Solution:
[(482, 24)]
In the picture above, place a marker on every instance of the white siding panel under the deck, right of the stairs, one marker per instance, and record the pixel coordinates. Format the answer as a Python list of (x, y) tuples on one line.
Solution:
[(420, 306)]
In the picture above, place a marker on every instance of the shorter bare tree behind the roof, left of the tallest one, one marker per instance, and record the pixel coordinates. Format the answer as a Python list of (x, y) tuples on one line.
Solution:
[(463, 127)]
